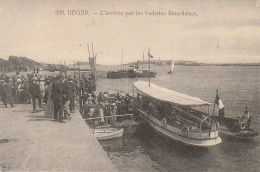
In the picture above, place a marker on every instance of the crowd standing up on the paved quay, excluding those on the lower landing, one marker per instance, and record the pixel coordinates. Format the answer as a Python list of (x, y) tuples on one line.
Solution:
[(58, 92)]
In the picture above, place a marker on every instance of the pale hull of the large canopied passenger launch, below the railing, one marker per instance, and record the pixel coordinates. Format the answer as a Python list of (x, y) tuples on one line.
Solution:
[(176, 133)]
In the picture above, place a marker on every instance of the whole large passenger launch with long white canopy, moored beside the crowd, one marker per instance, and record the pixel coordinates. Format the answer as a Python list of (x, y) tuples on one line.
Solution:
[(173, 114)]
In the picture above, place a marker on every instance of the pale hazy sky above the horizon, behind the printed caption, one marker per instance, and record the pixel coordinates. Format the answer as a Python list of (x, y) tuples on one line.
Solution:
[(223, 31)]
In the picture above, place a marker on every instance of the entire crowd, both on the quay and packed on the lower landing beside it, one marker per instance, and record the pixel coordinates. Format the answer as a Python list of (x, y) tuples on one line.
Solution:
[(59, 93)]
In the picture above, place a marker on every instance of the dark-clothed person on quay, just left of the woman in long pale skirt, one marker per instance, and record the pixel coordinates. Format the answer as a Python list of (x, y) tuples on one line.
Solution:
[(35, 93)]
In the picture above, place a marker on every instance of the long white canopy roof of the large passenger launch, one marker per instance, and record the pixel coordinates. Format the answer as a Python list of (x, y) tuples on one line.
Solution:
[(168, 95)]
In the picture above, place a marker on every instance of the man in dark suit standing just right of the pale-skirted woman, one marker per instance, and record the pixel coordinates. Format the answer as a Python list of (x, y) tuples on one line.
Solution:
[(57, 95)]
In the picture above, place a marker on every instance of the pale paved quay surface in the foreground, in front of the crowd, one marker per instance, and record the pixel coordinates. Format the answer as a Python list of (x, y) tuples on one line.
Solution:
[(30, 142)]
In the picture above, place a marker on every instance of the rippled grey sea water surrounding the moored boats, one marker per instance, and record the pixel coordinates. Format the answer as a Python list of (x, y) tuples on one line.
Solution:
[(145, 150)]
